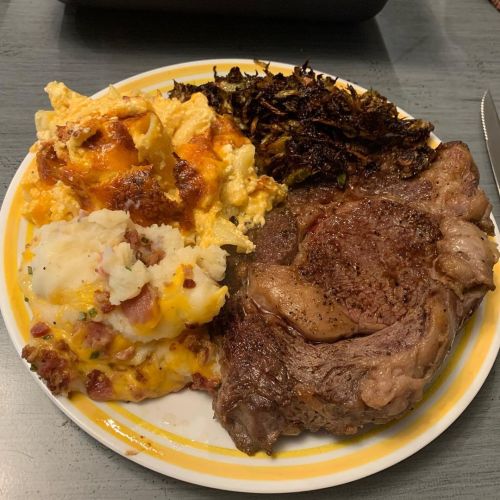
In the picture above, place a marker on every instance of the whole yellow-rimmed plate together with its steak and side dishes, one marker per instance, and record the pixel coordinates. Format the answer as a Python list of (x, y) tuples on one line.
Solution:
[(264, 244)]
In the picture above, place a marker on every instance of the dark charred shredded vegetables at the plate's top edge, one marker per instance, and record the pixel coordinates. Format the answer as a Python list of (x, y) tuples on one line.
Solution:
[(305, 125)]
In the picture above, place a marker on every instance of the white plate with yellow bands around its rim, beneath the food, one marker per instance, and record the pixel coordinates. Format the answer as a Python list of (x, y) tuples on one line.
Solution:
[(177, 436)]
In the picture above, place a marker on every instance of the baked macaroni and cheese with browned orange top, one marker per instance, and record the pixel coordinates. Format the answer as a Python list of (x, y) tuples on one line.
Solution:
[(162, 160)]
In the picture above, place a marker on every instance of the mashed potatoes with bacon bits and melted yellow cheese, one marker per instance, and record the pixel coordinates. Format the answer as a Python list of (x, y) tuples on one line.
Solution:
[(142, 344)]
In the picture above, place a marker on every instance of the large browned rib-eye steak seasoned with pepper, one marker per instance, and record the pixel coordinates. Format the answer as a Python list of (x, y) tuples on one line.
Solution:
[(351, 301)]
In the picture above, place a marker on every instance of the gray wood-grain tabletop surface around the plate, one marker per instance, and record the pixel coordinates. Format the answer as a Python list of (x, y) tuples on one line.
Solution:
[(434, 58)]
